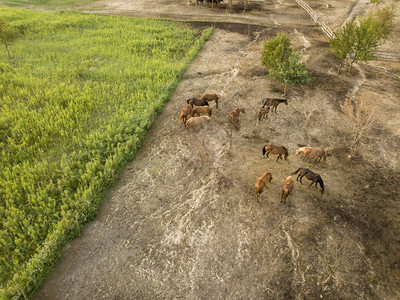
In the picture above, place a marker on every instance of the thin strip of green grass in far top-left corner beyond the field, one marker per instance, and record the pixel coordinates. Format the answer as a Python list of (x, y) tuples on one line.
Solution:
[(46, 3)]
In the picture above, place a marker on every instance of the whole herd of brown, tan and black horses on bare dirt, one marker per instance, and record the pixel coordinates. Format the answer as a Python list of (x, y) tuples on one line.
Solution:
[(198, 111)]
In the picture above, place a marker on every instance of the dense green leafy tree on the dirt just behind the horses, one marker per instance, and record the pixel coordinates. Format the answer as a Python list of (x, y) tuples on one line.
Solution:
[(283, 62)]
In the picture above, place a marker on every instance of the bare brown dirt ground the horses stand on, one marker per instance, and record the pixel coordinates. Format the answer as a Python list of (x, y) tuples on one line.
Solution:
[(183, 222)]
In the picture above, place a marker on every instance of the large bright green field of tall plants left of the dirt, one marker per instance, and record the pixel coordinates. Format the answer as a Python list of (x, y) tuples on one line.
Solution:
[(77, 97)]
